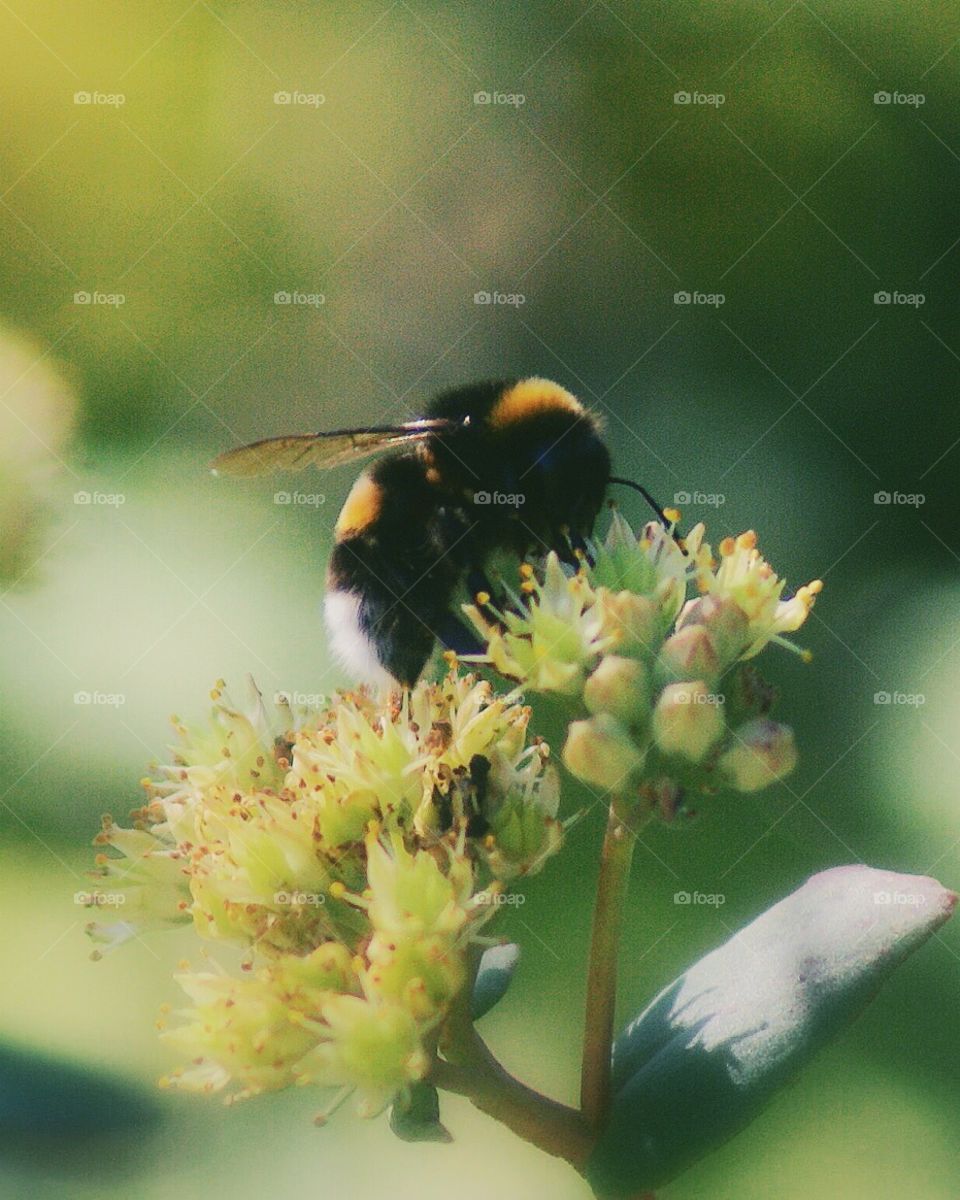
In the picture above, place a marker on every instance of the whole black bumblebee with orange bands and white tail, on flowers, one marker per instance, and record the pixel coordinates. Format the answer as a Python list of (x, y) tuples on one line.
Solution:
[(511, 466)]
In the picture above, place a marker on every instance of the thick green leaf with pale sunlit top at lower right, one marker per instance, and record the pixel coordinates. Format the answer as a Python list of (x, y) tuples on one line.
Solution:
[(706, 1055)]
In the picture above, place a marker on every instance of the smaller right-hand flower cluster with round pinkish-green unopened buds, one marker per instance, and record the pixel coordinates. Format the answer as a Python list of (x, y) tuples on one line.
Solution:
[(669, 705)]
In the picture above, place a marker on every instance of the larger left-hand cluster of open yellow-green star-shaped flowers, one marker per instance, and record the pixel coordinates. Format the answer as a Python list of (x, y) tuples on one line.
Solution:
[(355, 854)]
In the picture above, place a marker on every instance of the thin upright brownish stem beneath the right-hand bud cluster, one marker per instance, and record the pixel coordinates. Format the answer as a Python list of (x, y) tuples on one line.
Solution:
[(602, 973)]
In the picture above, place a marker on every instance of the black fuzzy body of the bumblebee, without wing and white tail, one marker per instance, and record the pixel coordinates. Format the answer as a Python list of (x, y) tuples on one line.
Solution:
[(446, 506)]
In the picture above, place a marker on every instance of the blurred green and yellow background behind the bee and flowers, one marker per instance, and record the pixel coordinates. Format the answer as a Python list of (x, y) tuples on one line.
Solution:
[(149, 166)]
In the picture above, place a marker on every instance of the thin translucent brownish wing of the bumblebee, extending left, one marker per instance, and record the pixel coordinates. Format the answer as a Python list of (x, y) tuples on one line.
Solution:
[(331, 449)]
